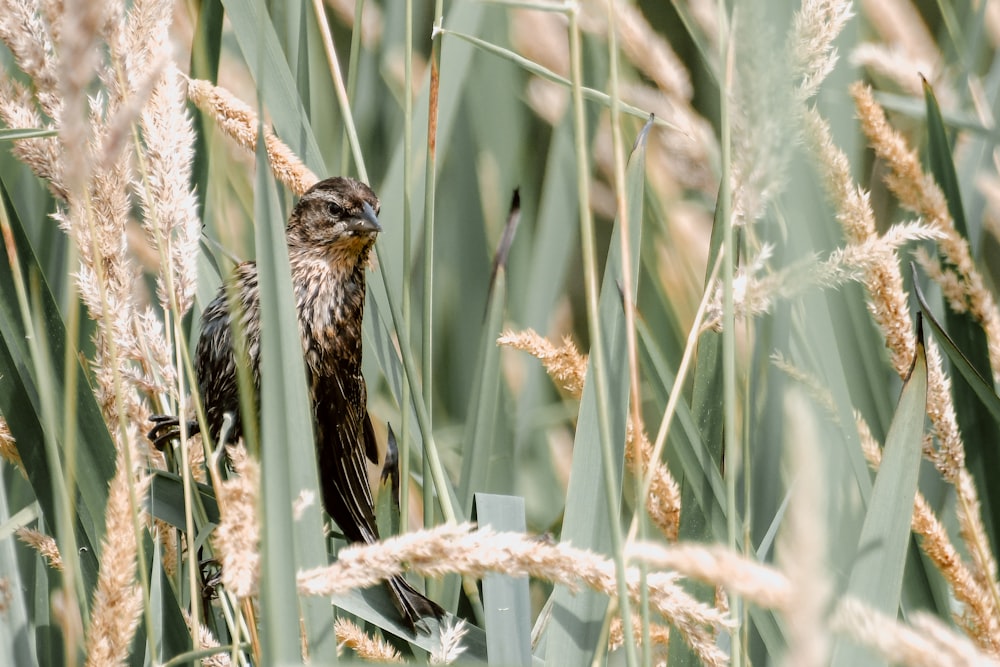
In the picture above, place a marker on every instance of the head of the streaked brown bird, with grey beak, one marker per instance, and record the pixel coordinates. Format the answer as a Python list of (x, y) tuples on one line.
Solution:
[(336, 218)]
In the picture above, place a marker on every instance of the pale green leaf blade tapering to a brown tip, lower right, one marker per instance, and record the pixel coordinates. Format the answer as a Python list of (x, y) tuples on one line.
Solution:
[(877, 575)]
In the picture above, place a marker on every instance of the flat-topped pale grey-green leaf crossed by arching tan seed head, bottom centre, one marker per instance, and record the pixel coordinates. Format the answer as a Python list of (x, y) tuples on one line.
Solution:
[(506, 600)]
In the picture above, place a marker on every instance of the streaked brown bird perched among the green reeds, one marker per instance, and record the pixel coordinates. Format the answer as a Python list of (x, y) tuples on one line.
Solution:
[(330, 235)]
